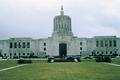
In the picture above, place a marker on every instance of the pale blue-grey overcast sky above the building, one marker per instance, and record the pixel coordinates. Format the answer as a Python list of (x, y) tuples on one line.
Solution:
[(34, 18)]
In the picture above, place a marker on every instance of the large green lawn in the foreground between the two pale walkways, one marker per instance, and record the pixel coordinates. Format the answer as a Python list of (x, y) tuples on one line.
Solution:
[(41, 70)]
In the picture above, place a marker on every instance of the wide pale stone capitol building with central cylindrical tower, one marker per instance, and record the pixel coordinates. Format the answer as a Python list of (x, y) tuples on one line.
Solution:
[(61, 43)]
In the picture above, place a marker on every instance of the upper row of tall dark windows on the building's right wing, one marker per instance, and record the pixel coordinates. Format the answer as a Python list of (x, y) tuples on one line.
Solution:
[(106, 43)]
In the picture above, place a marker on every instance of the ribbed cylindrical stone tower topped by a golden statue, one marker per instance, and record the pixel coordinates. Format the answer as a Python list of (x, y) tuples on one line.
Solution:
[(62, 25)]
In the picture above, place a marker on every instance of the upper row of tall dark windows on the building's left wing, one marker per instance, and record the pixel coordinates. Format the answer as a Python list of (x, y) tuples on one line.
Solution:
[(19, 44)]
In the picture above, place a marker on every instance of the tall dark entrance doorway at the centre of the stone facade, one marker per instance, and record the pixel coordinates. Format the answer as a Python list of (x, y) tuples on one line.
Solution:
[(62, 49)]
